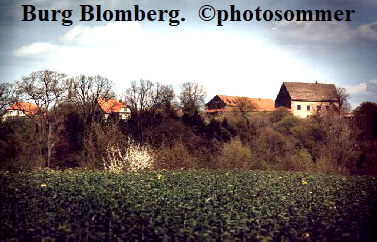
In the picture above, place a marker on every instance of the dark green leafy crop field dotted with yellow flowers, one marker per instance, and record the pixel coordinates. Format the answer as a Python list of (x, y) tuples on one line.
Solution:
[(187, 205)]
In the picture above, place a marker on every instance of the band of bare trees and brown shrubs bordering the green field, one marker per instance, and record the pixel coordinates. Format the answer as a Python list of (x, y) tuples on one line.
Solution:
[(171, 131)]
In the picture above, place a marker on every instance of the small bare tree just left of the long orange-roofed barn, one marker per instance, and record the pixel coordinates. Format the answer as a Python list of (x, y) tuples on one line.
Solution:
[(192, 97)]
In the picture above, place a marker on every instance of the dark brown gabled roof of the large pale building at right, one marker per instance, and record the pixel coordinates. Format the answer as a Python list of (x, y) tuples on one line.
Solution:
[(315, 92)]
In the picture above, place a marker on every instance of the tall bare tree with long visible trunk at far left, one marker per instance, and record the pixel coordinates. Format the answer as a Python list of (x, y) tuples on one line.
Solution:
[(47, 90)]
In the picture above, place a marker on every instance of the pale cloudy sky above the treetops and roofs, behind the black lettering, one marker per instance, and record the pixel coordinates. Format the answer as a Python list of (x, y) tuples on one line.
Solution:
[(241, 58)]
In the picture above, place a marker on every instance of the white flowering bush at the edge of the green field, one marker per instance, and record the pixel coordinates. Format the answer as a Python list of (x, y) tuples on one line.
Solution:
[(133, 157)]
